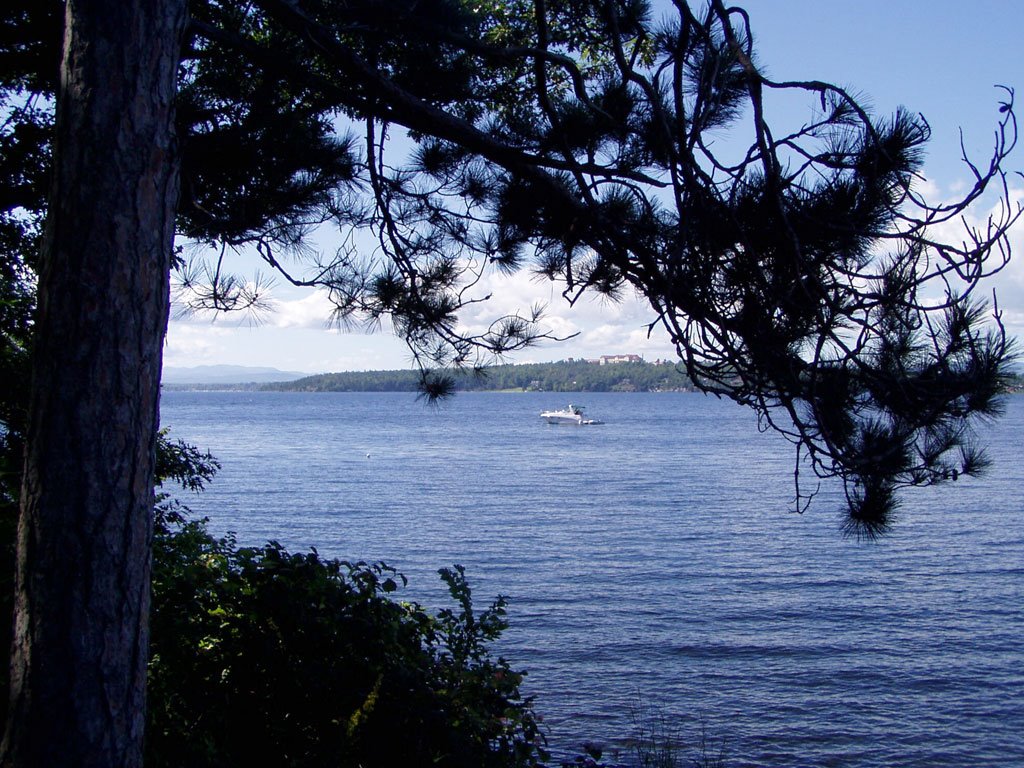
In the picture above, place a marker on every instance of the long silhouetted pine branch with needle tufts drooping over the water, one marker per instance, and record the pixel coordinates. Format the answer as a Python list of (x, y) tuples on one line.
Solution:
[(798, 272)]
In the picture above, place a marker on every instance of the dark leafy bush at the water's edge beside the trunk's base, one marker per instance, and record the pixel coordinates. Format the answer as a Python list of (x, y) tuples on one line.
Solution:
[(263, 657)]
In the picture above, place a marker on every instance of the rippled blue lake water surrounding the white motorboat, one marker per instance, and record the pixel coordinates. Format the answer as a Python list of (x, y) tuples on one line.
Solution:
[(654, 559)]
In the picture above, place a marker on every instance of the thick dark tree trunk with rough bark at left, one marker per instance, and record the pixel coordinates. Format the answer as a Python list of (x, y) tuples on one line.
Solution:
[(79, 655)]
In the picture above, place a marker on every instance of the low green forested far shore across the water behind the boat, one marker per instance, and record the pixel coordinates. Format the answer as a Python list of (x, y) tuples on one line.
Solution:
[(566, 376)]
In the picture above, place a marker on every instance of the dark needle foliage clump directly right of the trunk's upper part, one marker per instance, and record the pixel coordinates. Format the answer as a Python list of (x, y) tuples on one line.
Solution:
[(260, 156)]
